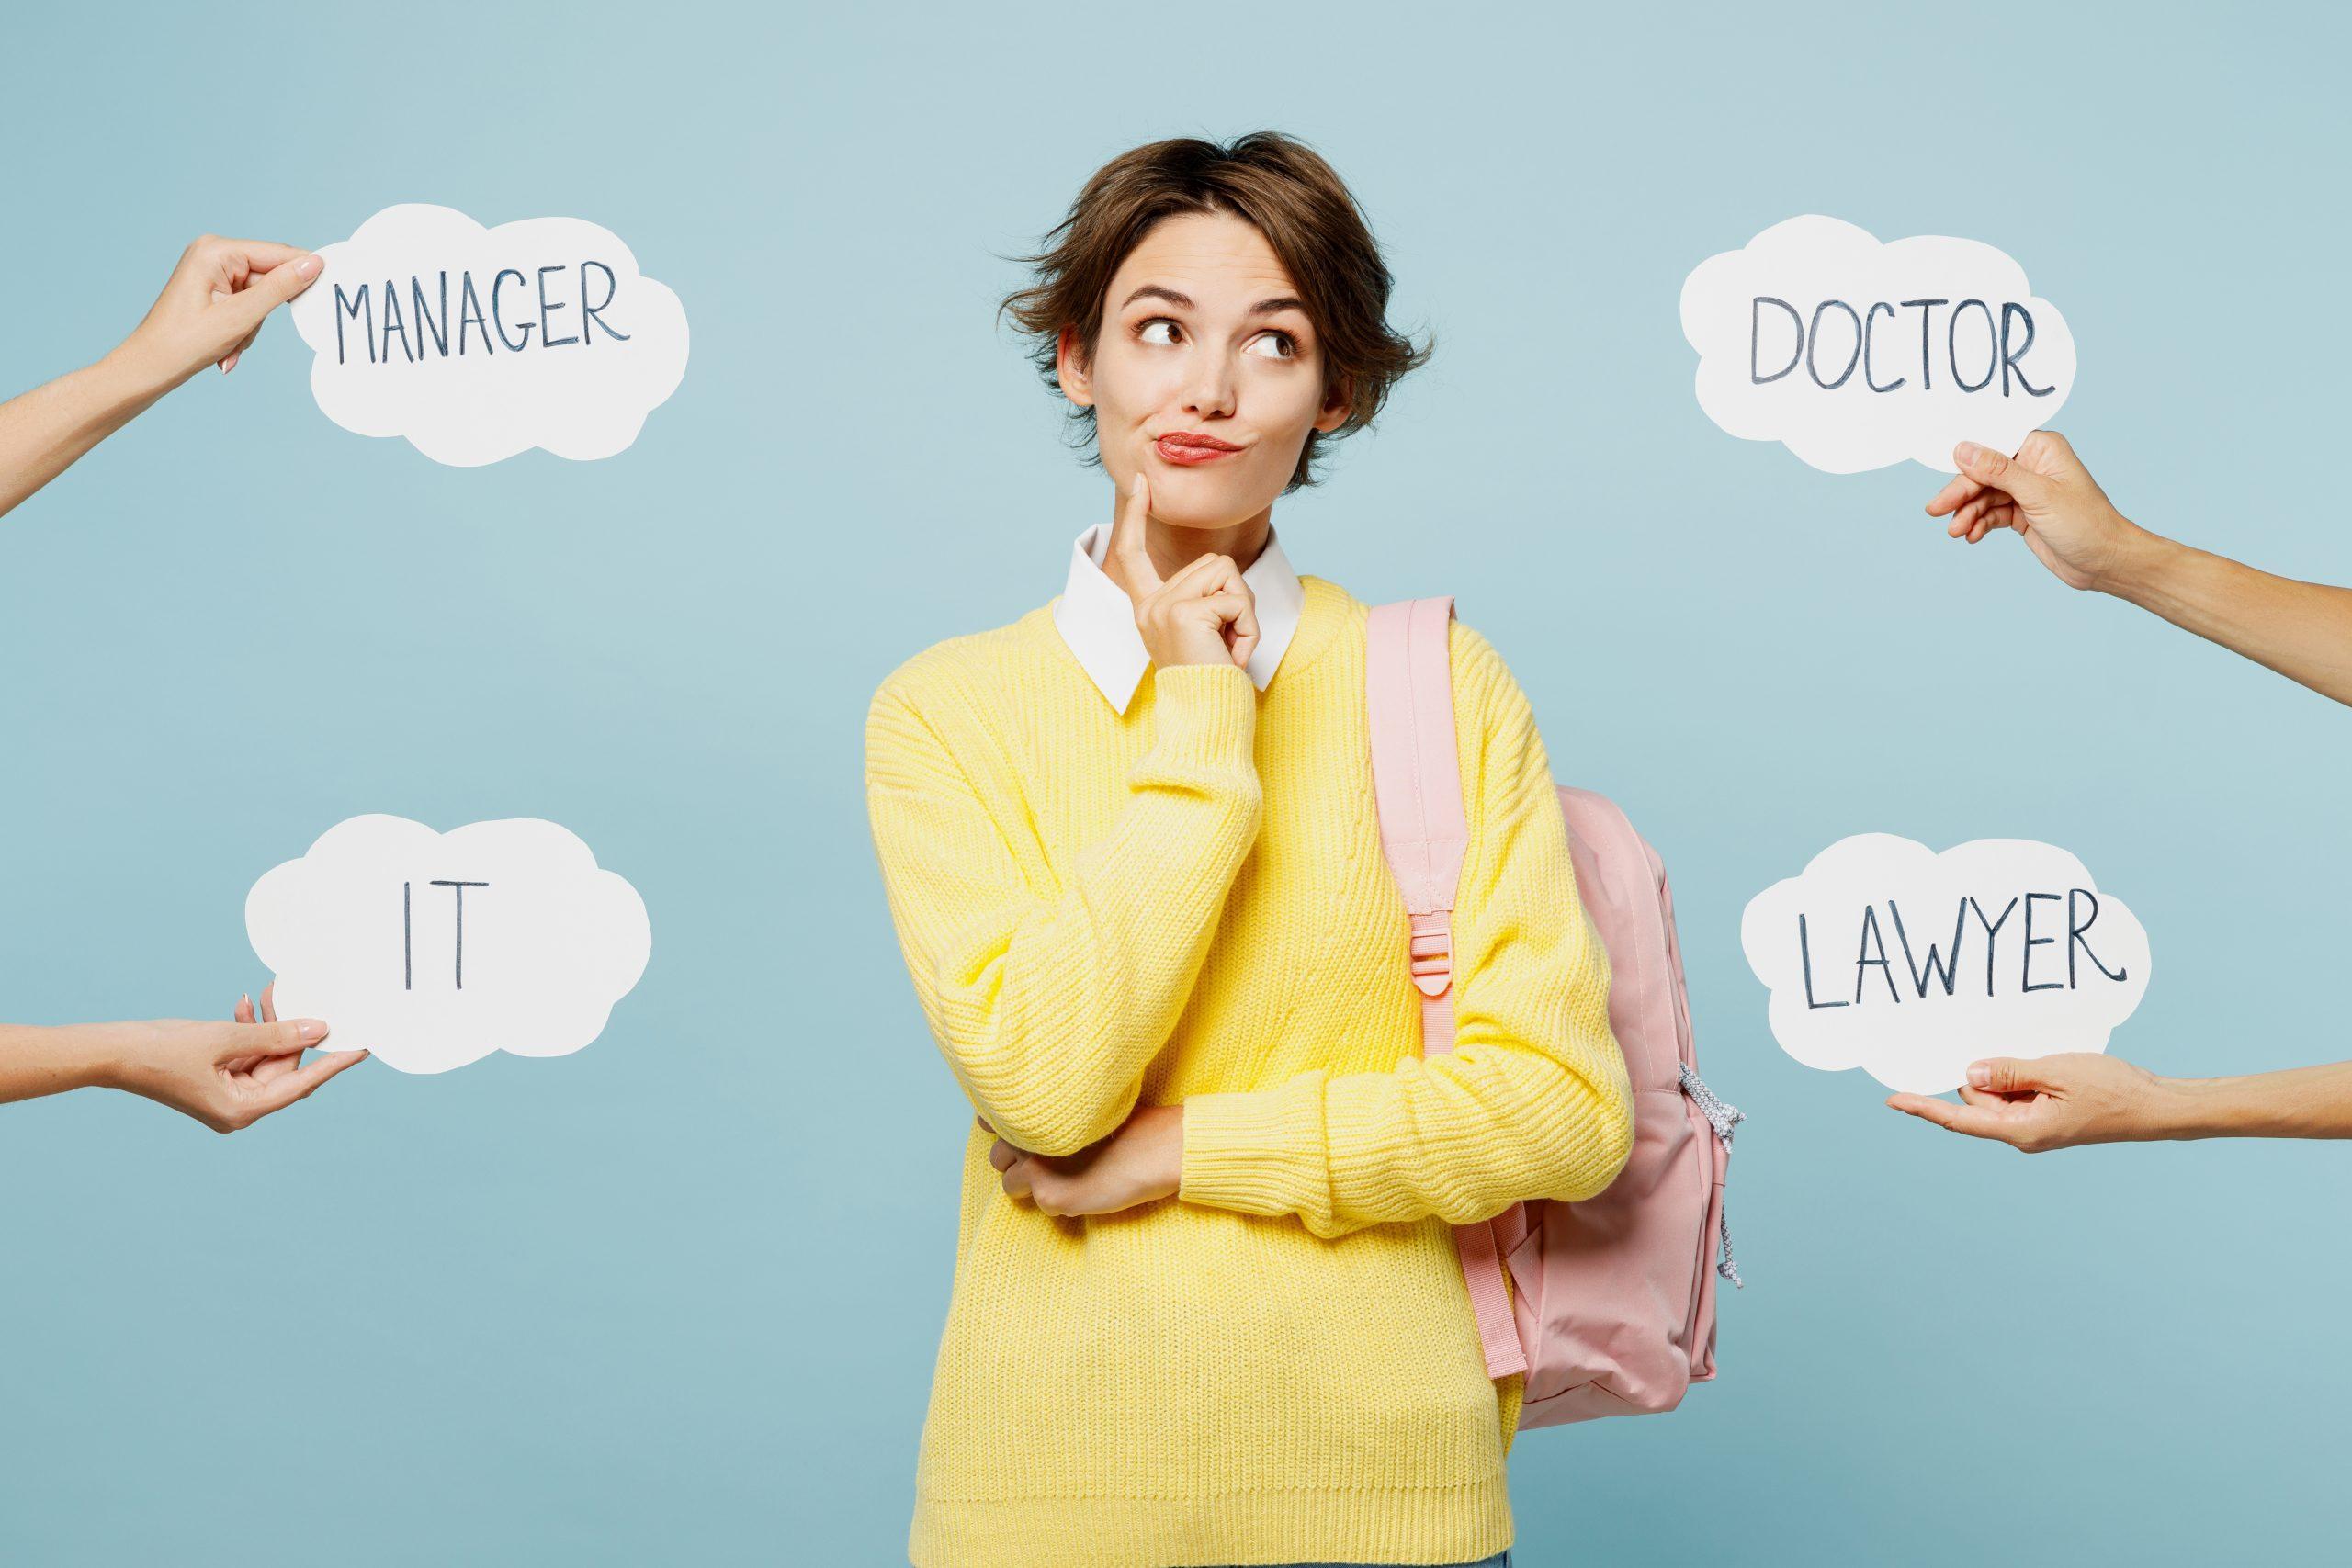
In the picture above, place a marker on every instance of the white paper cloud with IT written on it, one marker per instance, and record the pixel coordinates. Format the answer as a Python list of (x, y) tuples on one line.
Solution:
[(439, 949)]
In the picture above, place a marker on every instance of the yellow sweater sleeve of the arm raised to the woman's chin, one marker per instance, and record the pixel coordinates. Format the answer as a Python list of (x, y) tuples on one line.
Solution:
[(1050, 1003)]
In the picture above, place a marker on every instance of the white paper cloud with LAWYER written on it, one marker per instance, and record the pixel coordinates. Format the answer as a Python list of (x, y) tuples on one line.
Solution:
[(1911, 965)]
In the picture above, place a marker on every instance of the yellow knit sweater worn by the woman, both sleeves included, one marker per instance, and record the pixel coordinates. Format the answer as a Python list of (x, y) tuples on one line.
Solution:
[(1189, 904)]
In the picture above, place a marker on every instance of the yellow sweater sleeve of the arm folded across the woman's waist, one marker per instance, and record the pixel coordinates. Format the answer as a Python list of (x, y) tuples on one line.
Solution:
[(1535, 1099)]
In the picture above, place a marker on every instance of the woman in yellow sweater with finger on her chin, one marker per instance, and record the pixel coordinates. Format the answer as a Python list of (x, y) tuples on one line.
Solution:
[(1208, 1306)]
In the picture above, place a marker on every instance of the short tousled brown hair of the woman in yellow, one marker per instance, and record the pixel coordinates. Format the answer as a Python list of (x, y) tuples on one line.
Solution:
[(1292, 196)]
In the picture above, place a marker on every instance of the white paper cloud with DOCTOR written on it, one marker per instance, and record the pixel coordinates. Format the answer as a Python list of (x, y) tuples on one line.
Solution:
[(1857, 354)]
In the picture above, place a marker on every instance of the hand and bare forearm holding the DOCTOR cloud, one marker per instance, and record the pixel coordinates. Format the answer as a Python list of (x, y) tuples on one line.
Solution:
[(2050, 500)]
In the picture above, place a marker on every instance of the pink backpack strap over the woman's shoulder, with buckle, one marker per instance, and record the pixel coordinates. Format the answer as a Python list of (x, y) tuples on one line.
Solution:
[(1419, 793)]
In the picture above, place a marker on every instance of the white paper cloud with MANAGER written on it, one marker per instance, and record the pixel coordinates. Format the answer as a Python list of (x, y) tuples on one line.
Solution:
[(486, 342)]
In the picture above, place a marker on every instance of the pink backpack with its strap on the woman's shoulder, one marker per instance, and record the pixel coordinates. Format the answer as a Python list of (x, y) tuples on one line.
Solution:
[(1612, 1306)]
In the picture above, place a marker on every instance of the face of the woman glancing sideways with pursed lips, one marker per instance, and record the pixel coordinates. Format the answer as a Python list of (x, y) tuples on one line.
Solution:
[(1208, 375)]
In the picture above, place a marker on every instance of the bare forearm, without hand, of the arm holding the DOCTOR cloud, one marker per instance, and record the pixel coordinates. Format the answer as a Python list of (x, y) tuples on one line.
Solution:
[(2304, 631)]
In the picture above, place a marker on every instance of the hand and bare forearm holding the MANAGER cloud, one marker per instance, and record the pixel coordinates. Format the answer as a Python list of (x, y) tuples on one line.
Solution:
[(208, 314)]
